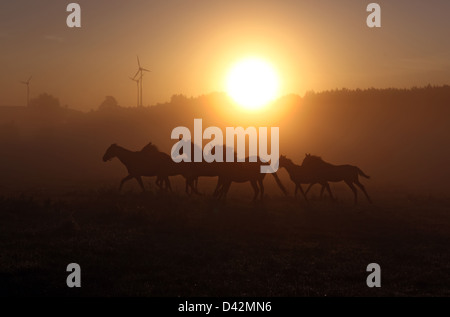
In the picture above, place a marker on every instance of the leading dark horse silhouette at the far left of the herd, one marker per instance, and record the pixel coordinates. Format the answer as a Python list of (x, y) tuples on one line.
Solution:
[(139, 163)]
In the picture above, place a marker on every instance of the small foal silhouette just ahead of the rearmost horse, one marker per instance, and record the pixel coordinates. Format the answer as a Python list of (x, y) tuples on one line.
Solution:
[(301, 175)]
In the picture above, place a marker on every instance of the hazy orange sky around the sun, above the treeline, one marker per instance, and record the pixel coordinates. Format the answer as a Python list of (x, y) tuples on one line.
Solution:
[(189, 45)]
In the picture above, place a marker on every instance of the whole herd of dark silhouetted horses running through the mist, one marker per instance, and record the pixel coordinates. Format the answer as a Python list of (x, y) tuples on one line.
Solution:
[(151, 162)]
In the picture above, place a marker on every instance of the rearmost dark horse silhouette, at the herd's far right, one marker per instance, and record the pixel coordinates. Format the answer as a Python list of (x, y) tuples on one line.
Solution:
[(327, 172)]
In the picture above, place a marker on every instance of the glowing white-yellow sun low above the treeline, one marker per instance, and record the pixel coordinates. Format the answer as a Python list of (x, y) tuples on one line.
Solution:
[(252, 83)]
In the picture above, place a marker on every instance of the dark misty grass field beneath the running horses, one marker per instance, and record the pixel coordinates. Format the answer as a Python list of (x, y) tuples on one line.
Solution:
[(169, 244)]
